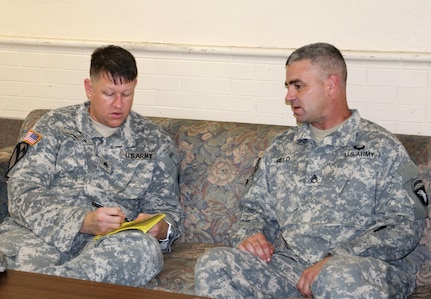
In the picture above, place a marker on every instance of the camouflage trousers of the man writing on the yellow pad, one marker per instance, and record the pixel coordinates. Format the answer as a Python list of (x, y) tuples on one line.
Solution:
[(128, 258)]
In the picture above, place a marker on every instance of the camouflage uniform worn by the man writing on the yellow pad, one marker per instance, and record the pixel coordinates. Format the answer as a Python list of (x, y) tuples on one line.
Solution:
[(52, 187)]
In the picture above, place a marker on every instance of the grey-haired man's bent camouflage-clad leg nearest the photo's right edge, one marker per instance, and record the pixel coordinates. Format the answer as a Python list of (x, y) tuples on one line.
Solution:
[(359, 277)]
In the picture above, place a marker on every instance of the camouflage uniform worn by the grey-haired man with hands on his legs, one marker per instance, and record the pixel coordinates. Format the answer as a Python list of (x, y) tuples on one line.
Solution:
[(350, 196)]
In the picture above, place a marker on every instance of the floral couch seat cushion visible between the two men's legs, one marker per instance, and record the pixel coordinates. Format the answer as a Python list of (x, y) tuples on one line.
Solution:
[(178, 271)]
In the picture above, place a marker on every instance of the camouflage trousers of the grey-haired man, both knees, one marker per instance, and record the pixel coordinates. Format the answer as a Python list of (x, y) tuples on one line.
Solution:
[(230, 273)]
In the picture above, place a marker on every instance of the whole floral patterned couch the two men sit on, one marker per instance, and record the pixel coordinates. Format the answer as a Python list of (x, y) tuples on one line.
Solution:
[(217, 159)]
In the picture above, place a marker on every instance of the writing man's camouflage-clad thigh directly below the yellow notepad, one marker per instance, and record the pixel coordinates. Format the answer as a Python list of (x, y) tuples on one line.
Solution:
[(129, 258)]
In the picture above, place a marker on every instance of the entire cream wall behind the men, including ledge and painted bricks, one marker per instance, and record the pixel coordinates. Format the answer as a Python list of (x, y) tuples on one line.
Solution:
[(219, 60)]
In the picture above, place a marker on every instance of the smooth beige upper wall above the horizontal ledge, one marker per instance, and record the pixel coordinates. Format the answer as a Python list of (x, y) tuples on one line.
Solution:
[(362, 25)]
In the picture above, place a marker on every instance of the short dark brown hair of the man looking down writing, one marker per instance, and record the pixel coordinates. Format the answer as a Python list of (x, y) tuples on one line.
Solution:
[(115, 62)]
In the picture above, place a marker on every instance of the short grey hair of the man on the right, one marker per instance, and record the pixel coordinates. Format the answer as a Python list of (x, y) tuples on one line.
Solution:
[(325, 55)]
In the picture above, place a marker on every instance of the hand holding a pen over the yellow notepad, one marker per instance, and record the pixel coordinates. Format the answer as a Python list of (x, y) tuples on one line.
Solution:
[(102, 221)]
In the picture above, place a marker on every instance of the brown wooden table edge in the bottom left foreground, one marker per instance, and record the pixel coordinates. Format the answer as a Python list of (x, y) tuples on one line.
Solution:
[(21, 285)]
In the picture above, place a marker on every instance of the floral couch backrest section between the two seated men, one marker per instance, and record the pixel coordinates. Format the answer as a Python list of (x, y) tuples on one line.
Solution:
[(217, 160)]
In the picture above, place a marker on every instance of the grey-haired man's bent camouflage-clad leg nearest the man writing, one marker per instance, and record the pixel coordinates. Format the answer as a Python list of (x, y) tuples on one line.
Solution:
[(228, 272)]
